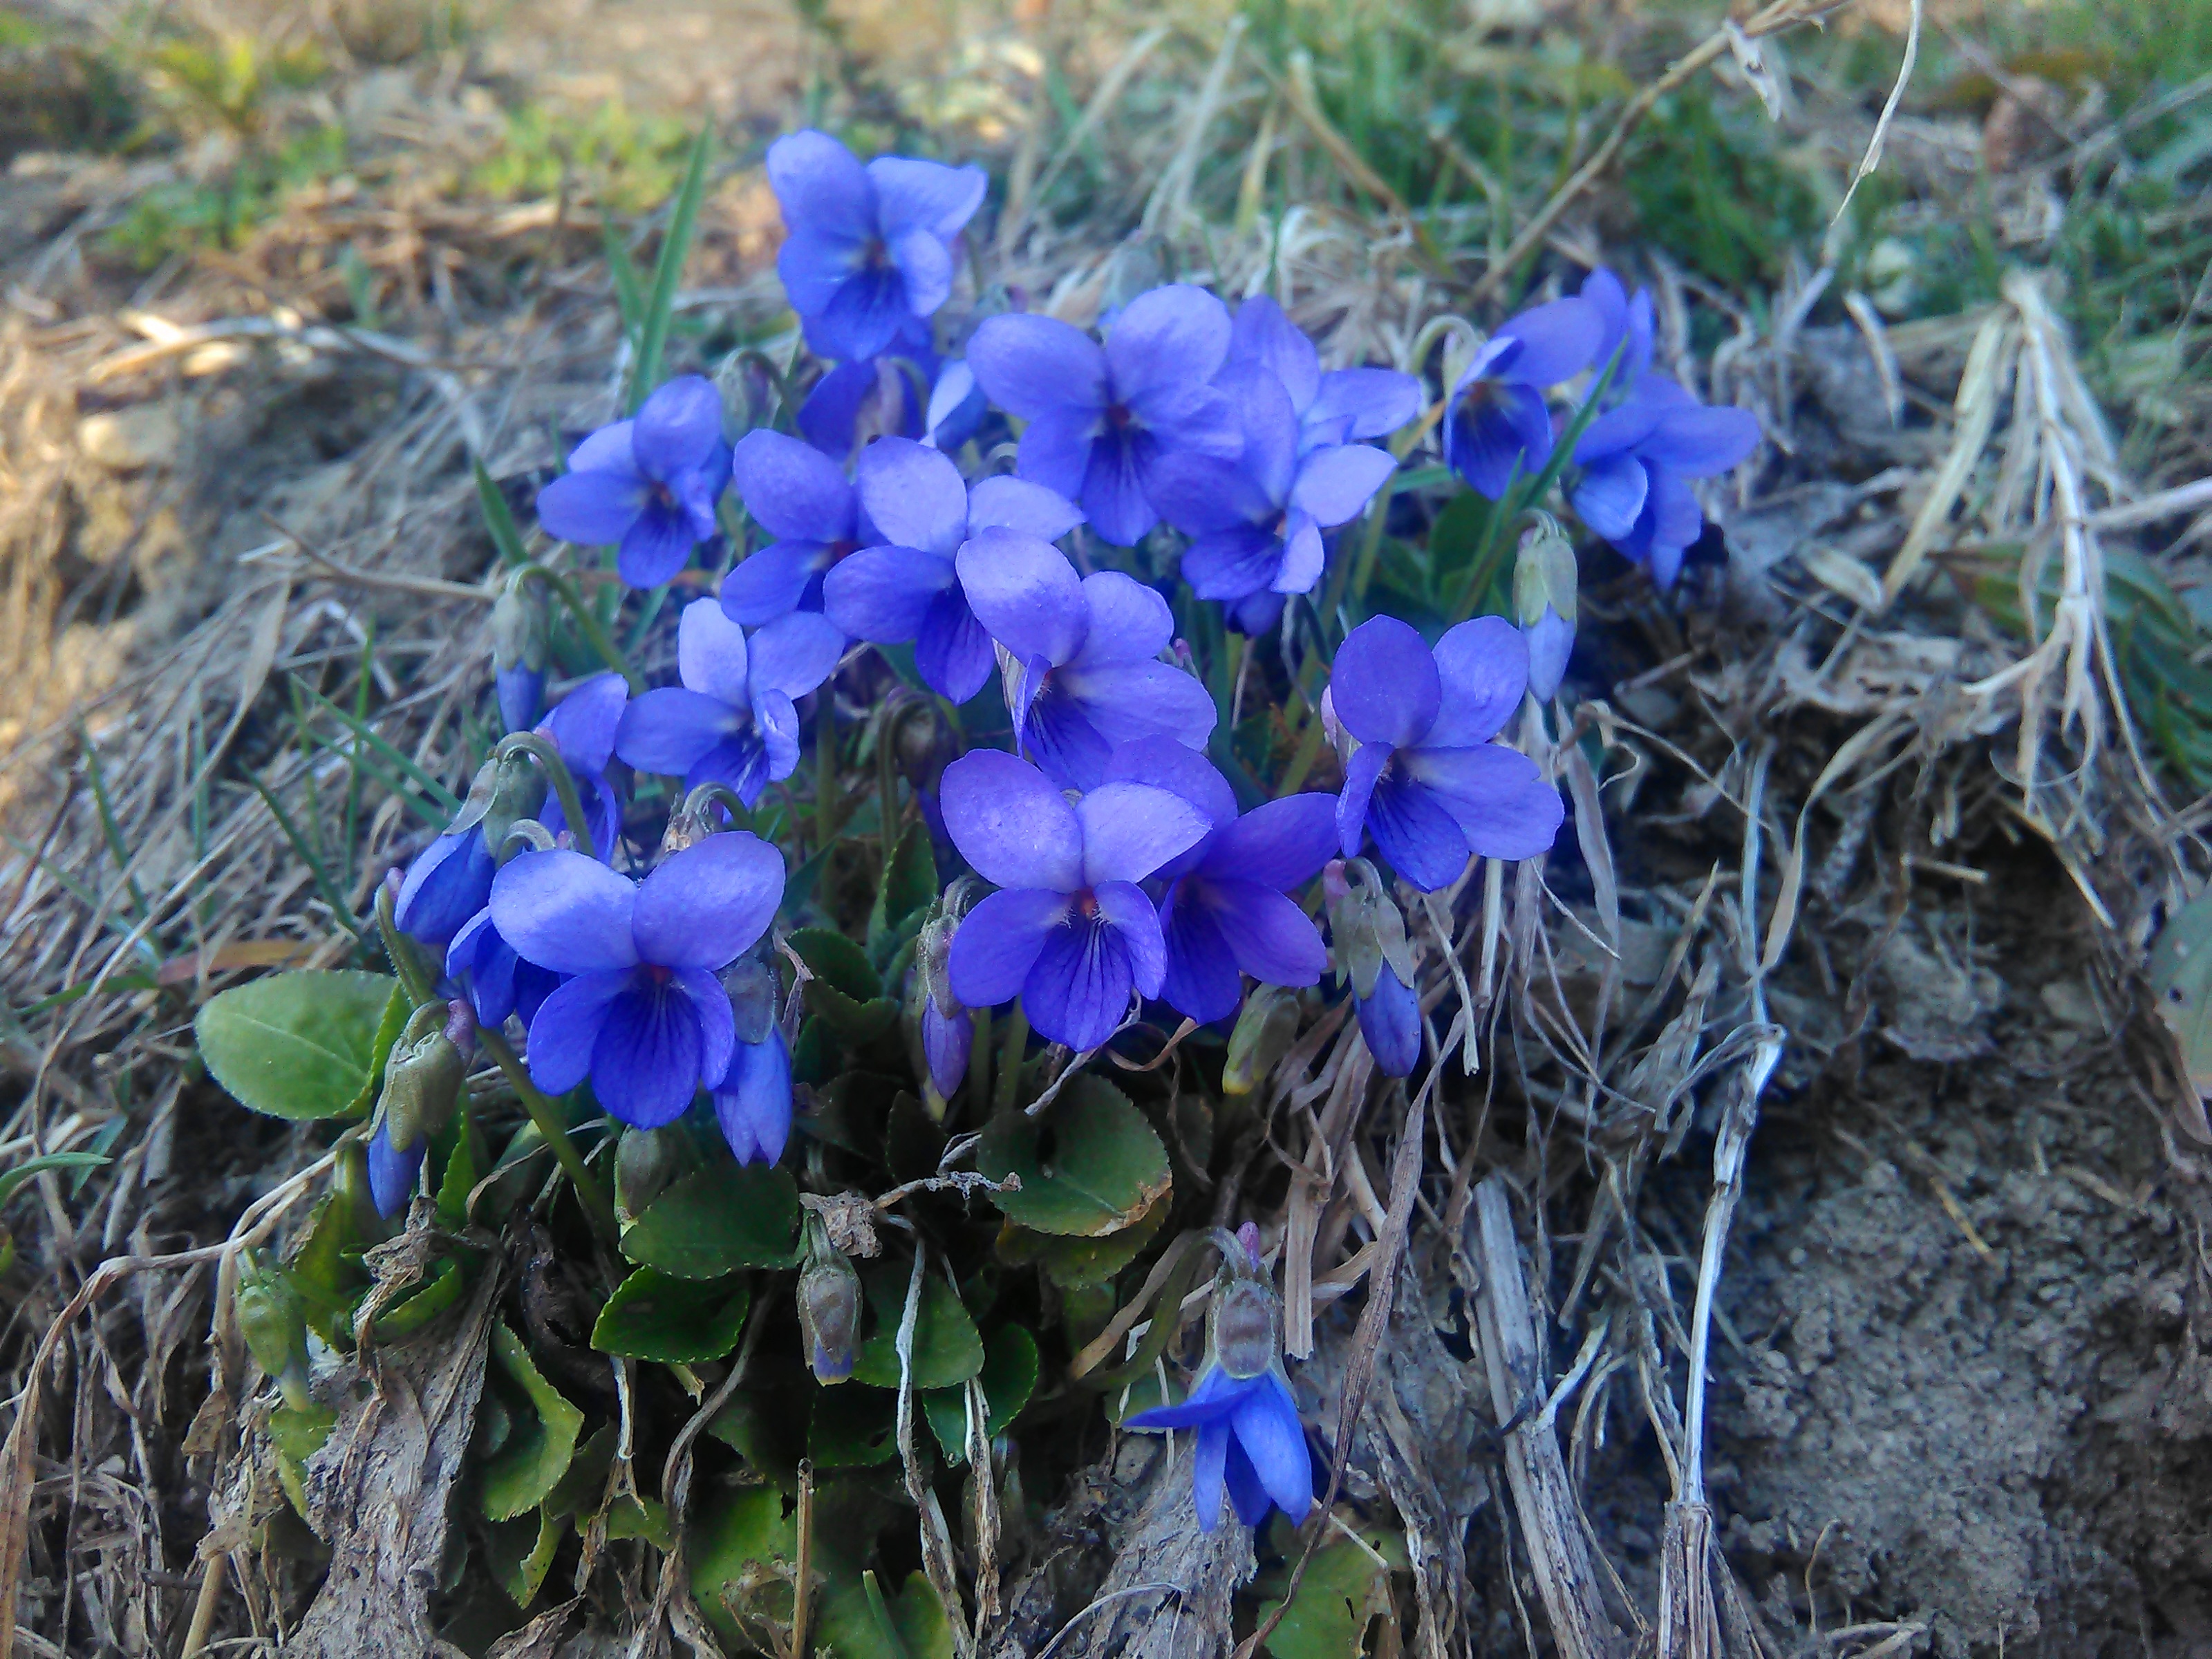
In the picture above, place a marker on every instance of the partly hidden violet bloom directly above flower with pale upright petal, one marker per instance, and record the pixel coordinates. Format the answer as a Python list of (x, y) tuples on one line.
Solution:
[(802, 499)]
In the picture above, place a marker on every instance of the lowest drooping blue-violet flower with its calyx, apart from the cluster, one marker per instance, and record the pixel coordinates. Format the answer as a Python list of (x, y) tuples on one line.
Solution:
[(1251, 1439)]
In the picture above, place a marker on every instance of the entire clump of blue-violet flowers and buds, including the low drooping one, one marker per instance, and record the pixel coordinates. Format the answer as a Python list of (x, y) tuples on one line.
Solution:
[(1120, 859)]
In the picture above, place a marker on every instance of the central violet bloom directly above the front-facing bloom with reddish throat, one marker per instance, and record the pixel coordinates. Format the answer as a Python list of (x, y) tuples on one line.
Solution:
[(1081, 656)]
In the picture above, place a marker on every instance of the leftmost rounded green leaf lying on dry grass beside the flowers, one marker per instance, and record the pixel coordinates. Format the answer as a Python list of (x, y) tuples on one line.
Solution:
[(295, 1045)]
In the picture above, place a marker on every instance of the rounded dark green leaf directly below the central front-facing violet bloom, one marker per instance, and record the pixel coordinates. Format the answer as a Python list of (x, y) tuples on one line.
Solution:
[(1092, 1165)]
